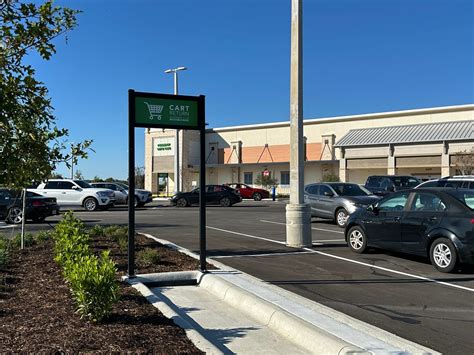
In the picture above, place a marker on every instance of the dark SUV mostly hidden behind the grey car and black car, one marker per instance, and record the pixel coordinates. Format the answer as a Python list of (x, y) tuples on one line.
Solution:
[(385, 184)]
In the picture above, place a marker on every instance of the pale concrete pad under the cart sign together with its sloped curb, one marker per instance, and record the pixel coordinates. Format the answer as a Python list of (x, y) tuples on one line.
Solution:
[(227, 311)]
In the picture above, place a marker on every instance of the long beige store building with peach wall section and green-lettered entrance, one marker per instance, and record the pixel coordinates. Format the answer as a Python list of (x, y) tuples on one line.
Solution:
[(425, 143)]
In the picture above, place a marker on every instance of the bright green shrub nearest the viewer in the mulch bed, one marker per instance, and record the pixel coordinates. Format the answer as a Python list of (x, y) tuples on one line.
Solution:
[(94, 286)]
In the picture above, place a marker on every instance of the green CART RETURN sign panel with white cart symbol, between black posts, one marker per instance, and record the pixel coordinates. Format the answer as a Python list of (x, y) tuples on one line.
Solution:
[(167, 111)]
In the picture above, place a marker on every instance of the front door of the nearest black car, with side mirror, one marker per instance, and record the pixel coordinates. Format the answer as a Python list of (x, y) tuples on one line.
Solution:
[(383, 224)]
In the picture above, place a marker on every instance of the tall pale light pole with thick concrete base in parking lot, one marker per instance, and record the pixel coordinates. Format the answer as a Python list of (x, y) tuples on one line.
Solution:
[(298, 214)]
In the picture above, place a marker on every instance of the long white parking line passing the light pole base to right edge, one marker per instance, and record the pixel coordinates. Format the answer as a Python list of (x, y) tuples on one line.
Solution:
[(355, 261)]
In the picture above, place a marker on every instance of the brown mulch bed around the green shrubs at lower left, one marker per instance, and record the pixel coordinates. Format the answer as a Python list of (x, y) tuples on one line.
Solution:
[(37, 311)]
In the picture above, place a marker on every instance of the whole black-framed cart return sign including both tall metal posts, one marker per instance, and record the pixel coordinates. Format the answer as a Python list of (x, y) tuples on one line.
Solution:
[(151, 110)]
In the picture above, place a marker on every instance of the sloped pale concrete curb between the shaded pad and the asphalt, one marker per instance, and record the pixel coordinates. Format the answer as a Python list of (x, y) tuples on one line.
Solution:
[(315, 327)]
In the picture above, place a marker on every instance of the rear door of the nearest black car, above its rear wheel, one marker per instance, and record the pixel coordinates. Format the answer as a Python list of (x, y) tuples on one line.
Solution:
[(425, 213)]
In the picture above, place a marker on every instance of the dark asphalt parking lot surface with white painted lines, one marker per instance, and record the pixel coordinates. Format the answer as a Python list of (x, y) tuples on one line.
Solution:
[(401, 294)]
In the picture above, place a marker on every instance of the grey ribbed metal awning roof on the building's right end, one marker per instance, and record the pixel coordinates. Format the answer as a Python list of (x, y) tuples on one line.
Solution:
[(418, 133)]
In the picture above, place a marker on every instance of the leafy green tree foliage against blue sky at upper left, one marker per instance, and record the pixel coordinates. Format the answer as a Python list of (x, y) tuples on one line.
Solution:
[(31, 144)]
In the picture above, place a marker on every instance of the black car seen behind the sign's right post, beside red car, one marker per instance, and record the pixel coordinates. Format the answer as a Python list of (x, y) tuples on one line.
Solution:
[(215, 195)]
